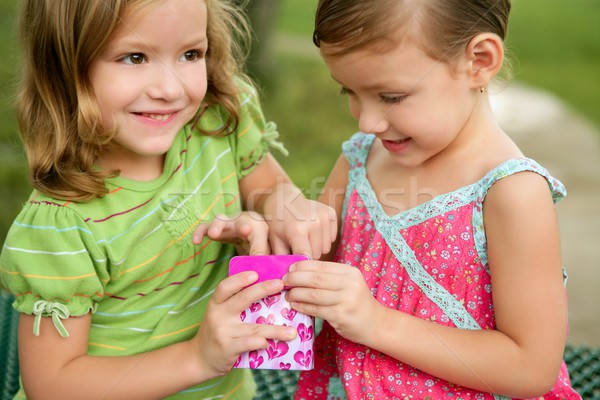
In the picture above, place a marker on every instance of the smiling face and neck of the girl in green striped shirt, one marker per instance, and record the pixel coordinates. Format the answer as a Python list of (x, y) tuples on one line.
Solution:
[(149, 82)]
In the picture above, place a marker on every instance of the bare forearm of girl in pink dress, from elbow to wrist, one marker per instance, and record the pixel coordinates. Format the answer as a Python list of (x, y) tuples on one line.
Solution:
[(485, 360)]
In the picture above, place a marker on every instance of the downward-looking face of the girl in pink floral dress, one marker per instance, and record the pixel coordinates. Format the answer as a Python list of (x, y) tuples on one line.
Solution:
[(414, 104)]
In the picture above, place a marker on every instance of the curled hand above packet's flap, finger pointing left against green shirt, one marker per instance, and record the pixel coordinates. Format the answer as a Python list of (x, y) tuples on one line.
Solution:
[(248, 231)]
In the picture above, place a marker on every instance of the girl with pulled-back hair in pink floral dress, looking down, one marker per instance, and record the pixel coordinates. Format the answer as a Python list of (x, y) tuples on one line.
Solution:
[(447, 279)]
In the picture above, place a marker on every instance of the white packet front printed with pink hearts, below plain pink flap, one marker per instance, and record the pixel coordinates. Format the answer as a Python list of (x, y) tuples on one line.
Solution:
[(297, 354)]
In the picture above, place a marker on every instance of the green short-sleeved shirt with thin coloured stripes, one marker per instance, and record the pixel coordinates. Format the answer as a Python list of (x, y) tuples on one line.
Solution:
[(129, 258)]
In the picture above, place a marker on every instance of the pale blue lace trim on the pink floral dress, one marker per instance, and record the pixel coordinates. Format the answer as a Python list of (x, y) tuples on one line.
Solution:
[(356, 151)]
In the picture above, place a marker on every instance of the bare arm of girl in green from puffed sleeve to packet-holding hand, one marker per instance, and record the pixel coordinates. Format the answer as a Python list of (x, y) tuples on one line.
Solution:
[(56, 367)]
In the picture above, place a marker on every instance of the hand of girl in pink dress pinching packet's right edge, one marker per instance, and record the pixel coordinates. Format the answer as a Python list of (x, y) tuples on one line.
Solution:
[(337, 293)]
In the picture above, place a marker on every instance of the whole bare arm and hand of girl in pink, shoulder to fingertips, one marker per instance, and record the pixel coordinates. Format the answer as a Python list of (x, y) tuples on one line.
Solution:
[(522, 357)]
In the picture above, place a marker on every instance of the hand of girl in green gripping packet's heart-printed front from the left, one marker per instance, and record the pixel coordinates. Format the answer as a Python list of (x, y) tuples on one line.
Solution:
[(223, 336)]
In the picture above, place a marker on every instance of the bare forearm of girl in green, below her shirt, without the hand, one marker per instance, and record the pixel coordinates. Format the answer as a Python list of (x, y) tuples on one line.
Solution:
[(151, 375)]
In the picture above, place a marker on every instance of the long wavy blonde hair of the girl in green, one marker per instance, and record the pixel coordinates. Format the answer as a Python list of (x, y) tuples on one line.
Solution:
[(59, 118)]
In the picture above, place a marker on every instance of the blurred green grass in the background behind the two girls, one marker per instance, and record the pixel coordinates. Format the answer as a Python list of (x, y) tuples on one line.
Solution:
[(553, 44)]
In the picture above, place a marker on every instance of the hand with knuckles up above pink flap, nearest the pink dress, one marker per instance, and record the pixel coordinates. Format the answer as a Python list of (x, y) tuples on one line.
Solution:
[(298, 225)]
